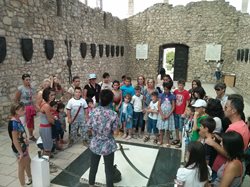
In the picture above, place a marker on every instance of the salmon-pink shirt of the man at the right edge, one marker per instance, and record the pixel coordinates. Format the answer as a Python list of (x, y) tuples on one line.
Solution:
[(241, 128)]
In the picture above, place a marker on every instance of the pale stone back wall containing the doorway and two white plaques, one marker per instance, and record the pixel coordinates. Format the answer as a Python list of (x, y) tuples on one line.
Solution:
[(195, 25)]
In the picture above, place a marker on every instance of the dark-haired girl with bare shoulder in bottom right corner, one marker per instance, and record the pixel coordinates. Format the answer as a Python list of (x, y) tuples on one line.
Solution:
[(231, 173)]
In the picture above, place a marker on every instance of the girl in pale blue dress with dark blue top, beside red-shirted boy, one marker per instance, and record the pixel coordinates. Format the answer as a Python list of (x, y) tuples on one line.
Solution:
[(166, 106)]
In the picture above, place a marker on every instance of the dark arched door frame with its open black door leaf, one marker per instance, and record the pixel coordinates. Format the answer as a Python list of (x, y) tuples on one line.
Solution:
[(180, 60)]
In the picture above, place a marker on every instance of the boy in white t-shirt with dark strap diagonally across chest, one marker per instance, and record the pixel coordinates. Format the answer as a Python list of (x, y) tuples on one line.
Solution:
[(77, 115)]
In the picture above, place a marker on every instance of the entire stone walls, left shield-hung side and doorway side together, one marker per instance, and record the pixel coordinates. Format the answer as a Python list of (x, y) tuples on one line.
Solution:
[(193, 25)]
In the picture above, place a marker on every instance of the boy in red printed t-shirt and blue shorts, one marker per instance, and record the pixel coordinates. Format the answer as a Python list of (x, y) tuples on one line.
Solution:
[(182, 100)]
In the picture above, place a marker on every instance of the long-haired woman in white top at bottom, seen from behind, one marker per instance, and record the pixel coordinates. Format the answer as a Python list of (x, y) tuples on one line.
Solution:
[(196, 172)]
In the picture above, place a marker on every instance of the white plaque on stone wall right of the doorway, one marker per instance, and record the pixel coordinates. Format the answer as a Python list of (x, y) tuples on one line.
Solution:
[(213, 52)]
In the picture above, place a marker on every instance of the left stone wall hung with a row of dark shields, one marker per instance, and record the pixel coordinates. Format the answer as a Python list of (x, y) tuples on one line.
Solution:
[(37, 19)]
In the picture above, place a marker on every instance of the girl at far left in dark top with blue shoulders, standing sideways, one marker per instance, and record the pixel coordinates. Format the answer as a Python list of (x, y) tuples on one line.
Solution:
[(19, 140)]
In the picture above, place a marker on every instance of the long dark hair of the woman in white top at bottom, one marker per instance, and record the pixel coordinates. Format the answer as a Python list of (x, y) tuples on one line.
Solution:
[(197, 156)]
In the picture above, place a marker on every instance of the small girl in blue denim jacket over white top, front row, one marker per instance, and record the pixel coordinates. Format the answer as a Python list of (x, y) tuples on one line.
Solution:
[(126, 117)]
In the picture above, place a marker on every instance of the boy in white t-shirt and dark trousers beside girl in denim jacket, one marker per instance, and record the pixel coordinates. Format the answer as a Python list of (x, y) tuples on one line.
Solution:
[(137, 102)]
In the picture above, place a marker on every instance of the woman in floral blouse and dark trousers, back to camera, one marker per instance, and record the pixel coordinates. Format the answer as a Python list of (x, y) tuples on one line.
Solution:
[(103, 121)]
